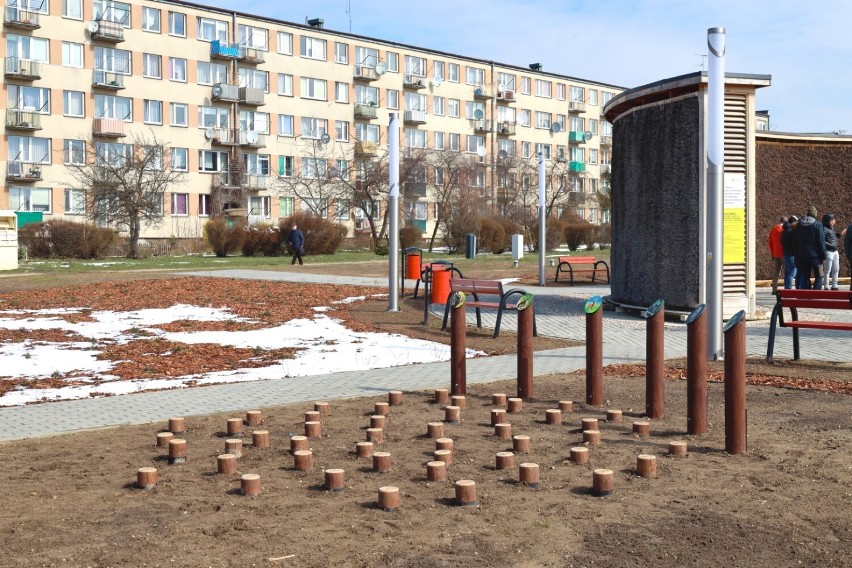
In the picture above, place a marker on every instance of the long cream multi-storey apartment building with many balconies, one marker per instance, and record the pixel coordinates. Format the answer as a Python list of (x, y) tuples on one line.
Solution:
[(242, 101)]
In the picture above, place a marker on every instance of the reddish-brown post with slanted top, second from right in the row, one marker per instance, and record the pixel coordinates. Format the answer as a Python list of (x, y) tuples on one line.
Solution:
[(696, 371)]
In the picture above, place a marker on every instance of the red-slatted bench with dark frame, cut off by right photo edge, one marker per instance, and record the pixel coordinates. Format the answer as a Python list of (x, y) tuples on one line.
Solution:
[(815, 299)]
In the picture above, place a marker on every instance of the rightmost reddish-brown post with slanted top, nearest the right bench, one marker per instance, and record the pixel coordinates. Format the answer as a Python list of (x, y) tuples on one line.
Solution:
[(735, 395)]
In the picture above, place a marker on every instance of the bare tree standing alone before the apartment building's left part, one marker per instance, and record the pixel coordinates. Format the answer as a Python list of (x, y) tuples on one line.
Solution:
[(126, 184)]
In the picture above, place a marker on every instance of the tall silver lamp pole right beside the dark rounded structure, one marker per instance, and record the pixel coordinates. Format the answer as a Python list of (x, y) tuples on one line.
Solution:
[(715, 187)]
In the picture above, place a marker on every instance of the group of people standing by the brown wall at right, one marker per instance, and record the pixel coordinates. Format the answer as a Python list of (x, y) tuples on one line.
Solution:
[(805, 248)]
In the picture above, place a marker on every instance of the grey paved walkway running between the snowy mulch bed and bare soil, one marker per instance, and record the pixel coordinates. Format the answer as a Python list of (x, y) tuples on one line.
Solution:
[(559, 314)]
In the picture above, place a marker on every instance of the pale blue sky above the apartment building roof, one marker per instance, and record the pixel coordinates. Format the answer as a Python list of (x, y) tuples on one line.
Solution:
[(805, 46)]
